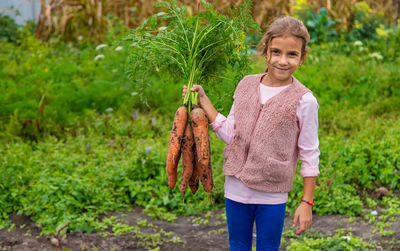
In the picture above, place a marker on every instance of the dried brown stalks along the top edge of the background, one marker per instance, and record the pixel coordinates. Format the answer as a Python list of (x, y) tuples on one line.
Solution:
[(88, 18)]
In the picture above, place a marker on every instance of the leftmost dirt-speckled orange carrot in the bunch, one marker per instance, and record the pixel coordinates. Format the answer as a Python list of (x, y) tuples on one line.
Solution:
[(174, 148)]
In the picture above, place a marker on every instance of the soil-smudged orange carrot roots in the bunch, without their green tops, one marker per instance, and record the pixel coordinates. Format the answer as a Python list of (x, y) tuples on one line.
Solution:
[(189, 139)]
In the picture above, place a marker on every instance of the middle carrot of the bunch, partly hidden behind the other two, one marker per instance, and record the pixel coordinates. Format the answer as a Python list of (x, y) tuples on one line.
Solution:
[(187, 158)]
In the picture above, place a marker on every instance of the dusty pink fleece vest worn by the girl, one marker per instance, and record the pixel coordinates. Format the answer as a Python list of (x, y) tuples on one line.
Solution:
[(264, 152)]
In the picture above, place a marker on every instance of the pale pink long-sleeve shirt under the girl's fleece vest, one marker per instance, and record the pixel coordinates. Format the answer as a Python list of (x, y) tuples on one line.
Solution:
[(307, 118)]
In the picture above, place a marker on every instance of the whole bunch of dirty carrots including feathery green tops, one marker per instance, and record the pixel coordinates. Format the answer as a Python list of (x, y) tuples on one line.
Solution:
[(199, 49)]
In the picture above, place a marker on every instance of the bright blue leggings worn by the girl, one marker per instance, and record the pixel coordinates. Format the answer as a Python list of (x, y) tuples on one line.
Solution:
[(269, 225)]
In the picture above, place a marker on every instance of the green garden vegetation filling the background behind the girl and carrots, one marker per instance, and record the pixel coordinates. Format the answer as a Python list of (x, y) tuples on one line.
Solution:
[(77, 141)]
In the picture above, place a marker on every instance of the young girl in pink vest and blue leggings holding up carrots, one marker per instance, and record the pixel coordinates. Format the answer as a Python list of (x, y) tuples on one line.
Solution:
[(272, 122)]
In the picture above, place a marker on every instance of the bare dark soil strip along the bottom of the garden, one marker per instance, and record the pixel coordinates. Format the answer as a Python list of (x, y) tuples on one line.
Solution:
[(207, 232)]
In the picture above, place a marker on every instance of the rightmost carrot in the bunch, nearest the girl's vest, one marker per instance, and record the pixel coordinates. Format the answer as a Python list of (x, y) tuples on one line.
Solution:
[(199, 123)]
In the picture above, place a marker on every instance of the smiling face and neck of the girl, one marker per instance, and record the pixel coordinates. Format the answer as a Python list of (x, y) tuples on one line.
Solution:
[(283, 58)]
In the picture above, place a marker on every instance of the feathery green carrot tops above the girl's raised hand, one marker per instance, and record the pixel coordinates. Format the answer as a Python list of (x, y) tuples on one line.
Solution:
[(190, 49)]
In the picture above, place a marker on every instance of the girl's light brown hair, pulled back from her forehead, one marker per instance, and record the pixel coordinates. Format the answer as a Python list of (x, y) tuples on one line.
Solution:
[(285, 26)]
